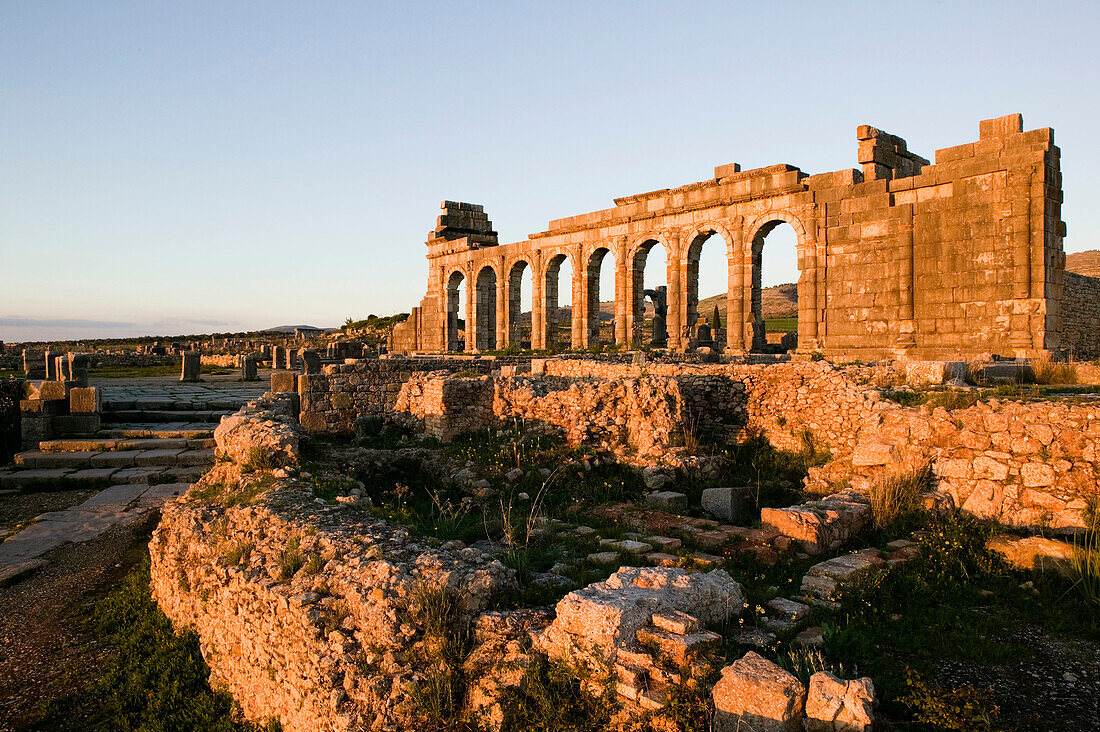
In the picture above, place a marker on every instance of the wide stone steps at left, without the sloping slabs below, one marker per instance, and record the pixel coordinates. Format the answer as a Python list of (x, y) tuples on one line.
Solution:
[(144, 442)]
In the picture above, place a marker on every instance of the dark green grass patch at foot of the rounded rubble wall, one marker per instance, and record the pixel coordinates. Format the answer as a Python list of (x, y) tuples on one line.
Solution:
[(151, 679)]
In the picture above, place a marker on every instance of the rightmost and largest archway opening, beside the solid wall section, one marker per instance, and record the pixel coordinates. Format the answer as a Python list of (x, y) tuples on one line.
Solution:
[(775, 304)]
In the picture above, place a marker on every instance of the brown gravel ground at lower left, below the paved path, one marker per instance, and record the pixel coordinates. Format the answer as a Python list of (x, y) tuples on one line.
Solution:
[(45, 651)]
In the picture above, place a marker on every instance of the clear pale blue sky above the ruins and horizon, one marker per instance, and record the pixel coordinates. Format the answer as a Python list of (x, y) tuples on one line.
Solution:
[(172, 168)]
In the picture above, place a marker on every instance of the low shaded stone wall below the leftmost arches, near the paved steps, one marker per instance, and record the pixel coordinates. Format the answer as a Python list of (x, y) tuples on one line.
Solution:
[(334, 399)]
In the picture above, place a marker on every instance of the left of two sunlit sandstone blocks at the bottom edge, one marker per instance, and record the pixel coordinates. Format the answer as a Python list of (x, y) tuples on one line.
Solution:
[(755, 694)]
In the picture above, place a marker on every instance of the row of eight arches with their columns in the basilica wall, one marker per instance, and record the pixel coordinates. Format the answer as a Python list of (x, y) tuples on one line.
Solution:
[(552, 323)]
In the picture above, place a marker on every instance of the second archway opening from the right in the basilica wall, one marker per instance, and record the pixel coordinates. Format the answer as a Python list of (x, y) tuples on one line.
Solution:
[(708, 320)]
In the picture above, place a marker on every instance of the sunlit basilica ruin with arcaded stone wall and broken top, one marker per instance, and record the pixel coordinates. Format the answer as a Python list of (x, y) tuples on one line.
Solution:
[(900, 258)]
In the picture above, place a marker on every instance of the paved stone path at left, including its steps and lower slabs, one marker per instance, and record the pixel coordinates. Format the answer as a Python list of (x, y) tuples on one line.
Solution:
[(158, 438)]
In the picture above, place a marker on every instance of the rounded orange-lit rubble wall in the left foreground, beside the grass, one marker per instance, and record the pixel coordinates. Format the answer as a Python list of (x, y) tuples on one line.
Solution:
[(333, 644)]
